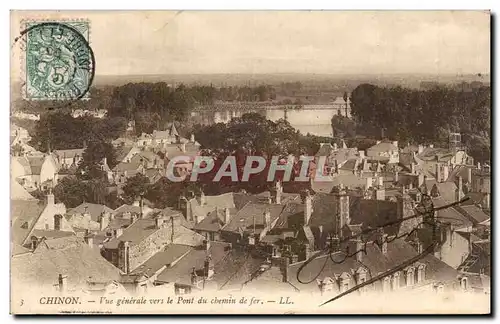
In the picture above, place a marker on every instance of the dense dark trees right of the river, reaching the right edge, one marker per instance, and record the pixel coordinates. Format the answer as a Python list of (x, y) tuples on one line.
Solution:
[(423, 116)]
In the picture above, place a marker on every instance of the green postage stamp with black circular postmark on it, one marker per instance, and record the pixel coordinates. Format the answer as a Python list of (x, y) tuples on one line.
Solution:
[(58, 61)]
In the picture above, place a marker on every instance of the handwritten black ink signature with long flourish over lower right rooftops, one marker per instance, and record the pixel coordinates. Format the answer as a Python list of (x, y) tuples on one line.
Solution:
[(428, 211)]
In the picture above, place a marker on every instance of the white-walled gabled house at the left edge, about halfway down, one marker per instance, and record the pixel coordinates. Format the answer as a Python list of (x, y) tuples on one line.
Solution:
[(35, 172)]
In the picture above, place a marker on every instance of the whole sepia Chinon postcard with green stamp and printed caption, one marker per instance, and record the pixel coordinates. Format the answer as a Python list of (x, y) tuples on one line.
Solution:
[(250, 162)]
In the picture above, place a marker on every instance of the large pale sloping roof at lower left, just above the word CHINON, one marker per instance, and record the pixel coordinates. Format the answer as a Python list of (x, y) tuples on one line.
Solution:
[(78, 261)]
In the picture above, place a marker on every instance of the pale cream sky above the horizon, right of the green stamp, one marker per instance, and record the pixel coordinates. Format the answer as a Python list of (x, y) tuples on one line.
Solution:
[(322, 42)]
